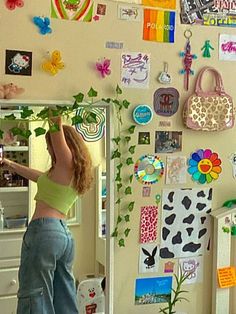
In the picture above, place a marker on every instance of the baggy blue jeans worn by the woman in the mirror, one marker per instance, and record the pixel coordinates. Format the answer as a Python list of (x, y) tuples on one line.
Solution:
[(46, 283)]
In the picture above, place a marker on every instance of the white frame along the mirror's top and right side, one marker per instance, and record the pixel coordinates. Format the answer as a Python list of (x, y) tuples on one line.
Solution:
[(109, 133)]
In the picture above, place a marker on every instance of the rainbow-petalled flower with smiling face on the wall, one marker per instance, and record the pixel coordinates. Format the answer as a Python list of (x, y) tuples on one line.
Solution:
[(204, 166)]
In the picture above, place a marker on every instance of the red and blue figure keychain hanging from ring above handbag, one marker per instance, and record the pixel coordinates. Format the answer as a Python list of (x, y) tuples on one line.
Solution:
[(187, 59)]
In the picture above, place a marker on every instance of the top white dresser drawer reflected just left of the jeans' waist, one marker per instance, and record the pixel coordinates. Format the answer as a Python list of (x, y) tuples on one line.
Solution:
[(11, 248)]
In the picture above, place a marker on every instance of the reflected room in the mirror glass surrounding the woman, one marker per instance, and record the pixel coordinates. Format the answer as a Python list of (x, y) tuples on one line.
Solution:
[(86, 219)]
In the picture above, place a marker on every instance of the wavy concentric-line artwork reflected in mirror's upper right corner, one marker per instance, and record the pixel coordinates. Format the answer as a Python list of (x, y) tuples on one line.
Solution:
[(92, 132)]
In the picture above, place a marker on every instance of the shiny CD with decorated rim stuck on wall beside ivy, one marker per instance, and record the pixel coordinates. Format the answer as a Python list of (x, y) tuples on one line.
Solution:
[(149, 169)]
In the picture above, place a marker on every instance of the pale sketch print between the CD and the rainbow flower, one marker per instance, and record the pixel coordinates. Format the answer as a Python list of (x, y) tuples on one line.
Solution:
[(176, 170)]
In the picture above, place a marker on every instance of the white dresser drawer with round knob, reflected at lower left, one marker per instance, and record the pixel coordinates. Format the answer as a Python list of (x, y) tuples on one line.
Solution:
[(8, 281)]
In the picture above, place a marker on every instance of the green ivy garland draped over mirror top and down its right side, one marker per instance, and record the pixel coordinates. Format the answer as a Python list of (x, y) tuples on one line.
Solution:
[(122, 154)]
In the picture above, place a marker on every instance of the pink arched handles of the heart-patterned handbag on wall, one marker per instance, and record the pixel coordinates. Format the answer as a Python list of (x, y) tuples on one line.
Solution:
[(219, 88)]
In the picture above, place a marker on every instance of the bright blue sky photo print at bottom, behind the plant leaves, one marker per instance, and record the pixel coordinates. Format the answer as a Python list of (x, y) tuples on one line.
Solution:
[(153, 290)]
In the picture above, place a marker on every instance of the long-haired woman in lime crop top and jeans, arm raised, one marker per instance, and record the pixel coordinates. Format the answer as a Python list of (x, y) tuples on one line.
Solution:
[(46, 283)]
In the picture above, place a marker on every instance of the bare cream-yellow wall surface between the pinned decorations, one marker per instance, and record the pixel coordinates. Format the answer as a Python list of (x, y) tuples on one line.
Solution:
[(81, 45)]
